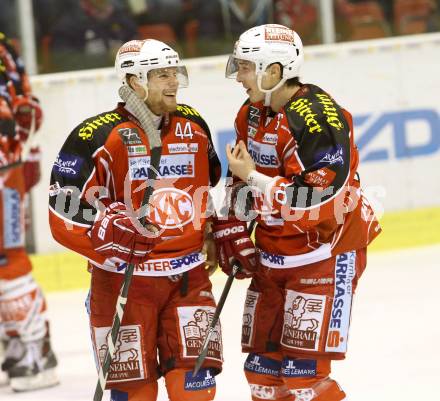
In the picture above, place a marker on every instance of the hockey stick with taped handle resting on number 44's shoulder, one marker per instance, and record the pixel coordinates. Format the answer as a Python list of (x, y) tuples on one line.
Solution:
[(143, 114)]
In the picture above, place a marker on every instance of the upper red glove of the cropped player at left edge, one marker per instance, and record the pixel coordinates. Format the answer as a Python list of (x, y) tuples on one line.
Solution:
[(26, 108)]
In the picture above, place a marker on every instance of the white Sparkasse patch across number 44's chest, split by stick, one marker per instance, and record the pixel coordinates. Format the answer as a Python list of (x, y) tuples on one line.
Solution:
[(171, 166)]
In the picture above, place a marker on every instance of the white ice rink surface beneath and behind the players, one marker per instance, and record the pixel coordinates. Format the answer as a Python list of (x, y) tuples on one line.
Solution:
[(392, 355)]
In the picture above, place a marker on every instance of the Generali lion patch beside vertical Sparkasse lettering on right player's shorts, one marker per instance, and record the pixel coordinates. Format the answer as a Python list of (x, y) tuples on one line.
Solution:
[(303, 316)]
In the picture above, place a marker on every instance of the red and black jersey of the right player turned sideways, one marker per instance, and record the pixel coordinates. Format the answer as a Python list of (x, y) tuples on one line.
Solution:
[(314, 206)]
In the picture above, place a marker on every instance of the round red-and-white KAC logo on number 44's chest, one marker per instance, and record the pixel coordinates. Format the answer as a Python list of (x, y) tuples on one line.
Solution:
[(171, 208)]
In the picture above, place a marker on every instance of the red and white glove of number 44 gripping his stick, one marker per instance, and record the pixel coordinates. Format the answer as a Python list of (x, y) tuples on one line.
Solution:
[(115, 235)]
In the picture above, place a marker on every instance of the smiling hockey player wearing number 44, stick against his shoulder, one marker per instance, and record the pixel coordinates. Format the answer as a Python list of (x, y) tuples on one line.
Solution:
[(98, 180)]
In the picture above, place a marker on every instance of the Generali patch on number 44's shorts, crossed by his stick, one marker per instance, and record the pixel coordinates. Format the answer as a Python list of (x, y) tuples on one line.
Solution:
[(127, 364)]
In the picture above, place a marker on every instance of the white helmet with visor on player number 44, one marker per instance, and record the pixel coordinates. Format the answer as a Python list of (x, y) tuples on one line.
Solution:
[(138, 57)]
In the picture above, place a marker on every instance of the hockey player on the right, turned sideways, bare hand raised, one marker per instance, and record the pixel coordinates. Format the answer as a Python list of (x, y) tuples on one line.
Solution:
[(295, 150)]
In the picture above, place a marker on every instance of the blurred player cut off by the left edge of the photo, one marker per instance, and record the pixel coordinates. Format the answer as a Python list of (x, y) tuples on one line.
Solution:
[(28, 361)]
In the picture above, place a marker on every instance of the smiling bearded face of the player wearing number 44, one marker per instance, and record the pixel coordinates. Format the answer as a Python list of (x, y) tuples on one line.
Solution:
[(162, 90)]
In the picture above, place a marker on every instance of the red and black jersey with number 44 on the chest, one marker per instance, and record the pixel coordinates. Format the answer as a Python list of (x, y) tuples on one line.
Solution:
[(109, 154)]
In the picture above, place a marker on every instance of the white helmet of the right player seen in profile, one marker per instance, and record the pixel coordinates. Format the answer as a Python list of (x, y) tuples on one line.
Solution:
[(265, 45)]
